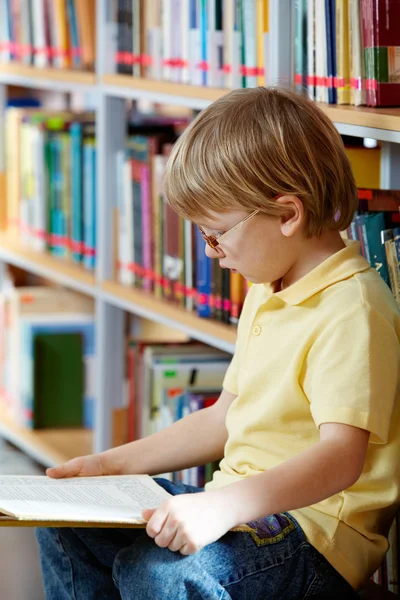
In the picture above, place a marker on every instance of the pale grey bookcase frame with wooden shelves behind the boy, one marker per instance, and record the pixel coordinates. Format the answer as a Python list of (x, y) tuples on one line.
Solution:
[(108, 92)]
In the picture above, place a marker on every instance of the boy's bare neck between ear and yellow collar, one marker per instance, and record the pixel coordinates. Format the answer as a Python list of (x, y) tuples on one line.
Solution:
[(310, 253)]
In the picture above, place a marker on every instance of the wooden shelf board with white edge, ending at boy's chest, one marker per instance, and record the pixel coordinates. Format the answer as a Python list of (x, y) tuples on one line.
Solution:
[(145, 305)]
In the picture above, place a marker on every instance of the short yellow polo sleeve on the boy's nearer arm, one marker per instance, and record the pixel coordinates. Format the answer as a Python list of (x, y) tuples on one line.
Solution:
[(352, 373)]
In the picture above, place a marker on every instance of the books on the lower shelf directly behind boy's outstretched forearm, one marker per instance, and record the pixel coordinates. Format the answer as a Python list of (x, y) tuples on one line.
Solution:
[(167, 380)]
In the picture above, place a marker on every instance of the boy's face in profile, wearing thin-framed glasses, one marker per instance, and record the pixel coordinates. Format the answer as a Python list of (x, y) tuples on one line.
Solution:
[(262, 250)]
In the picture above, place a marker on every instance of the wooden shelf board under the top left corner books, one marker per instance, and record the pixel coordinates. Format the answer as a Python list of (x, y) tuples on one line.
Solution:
[(47, 79)]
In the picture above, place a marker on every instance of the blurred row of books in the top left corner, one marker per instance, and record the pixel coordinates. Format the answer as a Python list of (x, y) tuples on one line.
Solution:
[(48, 33)]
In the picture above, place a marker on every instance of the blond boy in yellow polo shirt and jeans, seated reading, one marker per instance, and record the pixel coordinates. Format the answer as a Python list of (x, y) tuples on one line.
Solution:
[(308, 420)]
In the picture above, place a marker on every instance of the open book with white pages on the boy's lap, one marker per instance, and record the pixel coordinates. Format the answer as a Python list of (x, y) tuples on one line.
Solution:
[(108, 501)]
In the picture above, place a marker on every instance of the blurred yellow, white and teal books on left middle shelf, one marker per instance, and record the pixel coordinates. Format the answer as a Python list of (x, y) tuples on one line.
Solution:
[(51, 181)]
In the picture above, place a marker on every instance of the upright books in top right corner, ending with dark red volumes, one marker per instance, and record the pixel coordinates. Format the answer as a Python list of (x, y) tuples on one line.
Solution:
[(347, 51)]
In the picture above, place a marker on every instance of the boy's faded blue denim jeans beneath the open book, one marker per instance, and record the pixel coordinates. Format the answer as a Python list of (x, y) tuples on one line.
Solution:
[(272, 559)]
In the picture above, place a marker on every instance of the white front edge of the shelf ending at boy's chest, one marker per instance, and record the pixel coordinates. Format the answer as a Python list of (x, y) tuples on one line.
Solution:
[(159, 318)]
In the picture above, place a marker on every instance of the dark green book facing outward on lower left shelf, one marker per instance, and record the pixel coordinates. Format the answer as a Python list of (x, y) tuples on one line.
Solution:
[(58, 380)]
